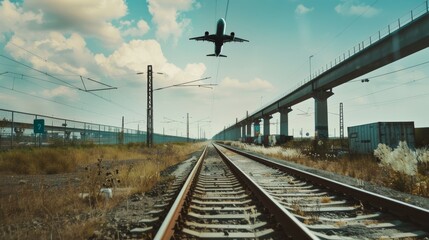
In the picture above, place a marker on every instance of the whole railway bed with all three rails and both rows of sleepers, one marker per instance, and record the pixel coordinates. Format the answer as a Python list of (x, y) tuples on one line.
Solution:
[(244, 196)]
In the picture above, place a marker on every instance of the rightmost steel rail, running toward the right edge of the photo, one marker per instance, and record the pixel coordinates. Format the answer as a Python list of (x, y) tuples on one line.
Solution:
[(411, 213)]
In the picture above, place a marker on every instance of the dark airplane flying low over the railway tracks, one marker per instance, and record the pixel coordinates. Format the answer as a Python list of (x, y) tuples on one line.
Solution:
[(219, 38)]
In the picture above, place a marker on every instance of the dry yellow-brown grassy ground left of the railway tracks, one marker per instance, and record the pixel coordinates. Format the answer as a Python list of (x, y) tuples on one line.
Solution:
[(40, 211)]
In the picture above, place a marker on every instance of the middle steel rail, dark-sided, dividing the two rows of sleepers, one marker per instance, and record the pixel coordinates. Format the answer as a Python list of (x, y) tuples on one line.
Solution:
[(289, 224)]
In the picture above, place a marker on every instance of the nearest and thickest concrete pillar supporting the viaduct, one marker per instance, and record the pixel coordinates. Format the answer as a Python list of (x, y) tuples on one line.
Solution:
[(321, 113)]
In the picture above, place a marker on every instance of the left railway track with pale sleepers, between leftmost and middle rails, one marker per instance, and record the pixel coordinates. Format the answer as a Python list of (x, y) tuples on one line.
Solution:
[(216, 202)]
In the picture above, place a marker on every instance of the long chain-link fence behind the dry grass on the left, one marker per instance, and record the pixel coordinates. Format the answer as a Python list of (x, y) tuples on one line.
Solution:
[(18, 129)]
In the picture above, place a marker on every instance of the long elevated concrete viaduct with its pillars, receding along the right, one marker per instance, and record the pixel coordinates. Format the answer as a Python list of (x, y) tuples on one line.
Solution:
[(406, 40)]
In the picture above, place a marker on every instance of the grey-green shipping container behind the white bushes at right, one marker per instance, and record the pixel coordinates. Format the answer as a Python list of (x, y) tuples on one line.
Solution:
[(365, 138)]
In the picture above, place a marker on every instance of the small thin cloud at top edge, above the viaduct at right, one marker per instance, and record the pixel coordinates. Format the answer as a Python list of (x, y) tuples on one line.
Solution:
[(353, 8)]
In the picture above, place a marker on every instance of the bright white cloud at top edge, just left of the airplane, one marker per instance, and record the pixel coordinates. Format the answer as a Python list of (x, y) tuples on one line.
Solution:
[(166, 16)]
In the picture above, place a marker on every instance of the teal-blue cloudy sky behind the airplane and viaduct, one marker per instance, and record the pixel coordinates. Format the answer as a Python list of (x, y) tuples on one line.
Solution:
[(51, 50)]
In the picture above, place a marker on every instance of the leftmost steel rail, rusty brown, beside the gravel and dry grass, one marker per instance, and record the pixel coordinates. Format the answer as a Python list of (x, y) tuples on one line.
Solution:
[(166, 230)]
